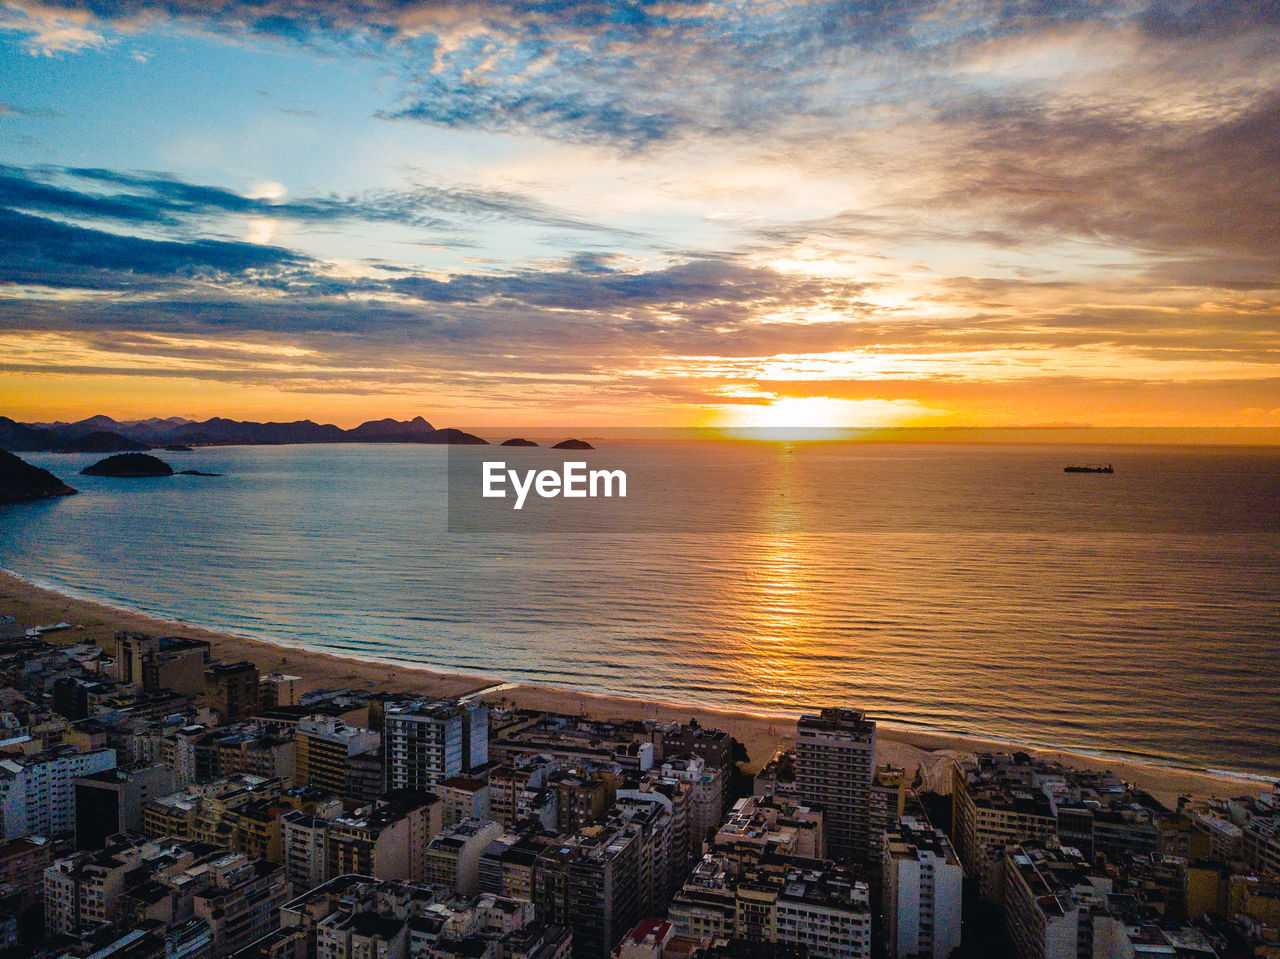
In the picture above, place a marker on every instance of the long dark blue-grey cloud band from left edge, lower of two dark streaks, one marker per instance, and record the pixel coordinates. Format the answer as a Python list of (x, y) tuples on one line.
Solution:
[(705, 293)]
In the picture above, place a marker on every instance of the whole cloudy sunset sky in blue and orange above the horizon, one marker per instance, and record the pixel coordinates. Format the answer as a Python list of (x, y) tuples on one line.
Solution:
[(653, 213)]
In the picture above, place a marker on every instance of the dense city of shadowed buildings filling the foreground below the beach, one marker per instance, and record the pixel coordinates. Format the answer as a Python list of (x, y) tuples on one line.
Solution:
[(159, 802)]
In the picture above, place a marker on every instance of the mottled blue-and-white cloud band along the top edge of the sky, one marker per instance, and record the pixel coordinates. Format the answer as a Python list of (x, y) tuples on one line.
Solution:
[(655, 74)]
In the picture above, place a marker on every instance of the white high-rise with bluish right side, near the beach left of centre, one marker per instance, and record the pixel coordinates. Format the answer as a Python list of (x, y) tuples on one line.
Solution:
[(428, 742)]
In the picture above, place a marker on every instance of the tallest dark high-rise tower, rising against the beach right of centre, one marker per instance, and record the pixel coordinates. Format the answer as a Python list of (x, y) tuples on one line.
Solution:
[(835, 766)]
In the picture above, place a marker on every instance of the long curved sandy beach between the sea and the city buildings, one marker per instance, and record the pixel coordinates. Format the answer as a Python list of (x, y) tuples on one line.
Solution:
[(762, 734)]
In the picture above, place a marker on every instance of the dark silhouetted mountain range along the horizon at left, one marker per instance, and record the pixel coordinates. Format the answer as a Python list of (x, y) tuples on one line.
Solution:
[(102, 435)]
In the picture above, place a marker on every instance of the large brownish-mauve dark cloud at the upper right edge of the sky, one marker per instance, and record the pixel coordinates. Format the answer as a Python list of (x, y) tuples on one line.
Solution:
[(1199, 194)]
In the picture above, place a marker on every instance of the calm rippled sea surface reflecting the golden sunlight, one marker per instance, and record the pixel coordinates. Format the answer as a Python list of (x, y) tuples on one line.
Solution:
[(972, 588)]
